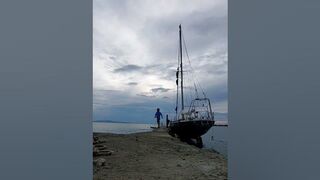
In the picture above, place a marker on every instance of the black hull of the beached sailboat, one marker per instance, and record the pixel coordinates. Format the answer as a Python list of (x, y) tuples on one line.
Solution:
[(190, 129)]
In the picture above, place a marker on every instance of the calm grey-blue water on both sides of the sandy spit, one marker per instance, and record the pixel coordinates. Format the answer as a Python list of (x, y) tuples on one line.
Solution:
[(215, 138)]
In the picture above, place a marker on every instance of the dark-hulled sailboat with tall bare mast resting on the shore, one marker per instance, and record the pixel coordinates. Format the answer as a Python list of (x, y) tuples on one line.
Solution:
[(193, 121)]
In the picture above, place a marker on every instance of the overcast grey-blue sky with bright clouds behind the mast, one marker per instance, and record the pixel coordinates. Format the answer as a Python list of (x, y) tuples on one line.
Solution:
[(135, 48)]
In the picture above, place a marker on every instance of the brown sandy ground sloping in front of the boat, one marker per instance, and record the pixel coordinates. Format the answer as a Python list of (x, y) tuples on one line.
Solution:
[(153, 155)]
